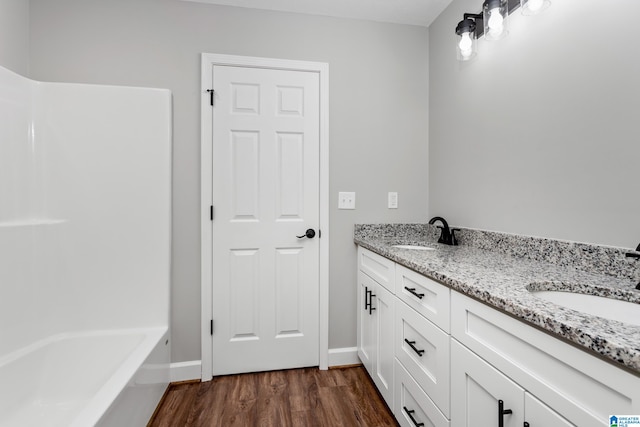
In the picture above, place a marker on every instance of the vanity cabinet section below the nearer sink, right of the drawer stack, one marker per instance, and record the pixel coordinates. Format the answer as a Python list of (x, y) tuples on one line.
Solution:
[(556, 380)]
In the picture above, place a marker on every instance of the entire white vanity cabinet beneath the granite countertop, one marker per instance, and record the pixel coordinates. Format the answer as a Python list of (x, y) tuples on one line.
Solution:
[(450, 360)]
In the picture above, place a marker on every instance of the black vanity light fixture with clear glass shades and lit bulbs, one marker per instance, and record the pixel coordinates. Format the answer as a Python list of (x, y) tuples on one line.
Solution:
[(492, 23)]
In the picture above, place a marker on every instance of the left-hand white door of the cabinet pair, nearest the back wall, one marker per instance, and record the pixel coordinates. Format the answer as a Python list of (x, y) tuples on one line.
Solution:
[(366, 347)]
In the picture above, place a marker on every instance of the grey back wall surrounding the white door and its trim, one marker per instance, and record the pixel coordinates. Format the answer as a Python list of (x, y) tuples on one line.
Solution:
[(378, 113)]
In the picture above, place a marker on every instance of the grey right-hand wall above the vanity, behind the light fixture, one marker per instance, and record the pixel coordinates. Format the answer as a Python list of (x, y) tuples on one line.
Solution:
[(539, 134)]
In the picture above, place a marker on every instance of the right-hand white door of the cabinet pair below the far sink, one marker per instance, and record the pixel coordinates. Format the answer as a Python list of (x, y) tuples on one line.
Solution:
[(383, 307)]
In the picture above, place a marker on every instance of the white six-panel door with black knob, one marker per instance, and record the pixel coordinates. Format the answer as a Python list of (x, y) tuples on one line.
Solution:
[(265, 190)]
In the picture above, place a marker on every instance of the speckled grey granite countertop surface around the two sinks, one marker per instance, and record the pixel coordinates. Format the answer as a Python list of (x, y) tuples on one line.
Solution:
[(501, 281)]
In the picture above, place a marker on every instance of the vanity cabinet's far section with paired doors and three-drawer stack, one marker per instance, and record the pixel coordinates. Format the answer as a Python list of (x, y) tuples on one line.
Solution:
[(404, 351)]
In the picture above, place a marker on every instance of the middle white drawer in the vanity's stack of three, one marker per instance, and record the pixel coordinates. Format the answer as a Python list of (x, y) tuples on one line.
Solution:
[(424, 349)]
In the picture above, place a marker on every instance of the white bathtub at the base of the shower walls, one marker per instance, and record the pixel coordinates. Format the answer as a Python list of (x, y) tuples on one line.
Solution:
[(79, 379)]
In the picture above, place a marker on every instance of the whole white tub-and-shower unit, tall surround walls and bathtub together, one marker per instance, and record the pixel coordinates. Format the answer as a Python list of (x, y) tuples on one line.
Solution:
[(85, 217)]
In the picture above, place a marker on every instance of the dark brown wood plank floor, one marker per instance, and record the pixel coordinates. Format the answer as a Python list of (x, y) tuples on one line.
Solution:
[(299, 397)]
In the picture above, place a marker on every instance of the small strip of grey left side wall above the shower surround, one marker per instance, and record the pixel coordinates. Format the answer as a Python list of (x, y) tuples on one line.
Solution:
[(14, 35)]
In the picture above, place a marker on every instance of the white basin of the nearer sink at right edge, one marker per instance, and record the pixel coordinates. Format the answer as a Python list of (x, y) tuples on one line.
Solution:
[(608, 308)]
